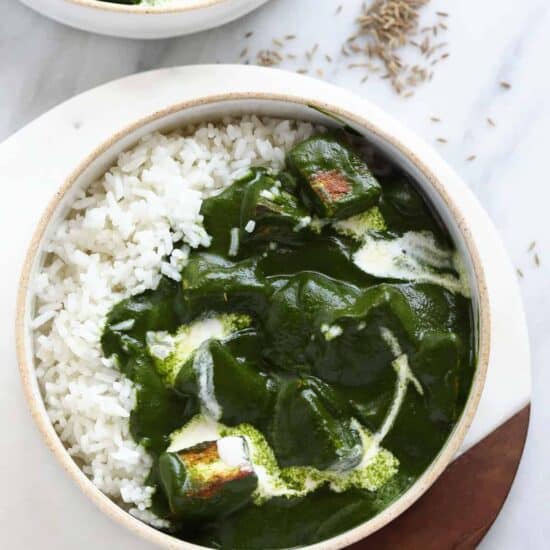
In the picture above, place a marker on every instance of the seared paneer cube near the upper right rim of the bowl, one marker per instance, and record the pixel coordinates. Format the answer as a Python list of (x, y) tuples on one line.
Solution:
[(334, 180)]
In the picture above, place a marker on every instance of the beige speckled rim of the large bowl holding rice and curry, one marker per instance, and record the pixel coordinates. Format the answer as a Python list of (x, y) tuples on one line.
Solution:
[(429, 476)]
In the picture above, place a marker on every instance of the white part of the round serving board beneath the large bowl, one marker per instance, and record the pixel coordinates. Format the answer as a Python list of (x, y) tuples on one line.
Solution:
[(33, 164)]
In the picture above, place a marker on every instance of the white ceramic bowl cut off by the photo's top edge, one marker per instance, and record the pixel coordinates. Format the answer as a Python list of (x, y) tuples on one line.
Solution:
[(140, 21)]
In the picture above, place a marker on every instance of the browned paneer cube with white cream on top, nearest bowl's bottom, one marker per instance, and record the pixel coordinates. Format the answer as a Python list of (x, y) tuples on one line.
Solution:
[(208, 481)]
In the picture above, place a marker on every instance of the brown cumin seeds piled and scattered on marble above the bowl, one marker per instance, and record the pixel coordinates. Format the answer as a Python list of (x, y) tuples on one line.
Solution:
[(387, 32)]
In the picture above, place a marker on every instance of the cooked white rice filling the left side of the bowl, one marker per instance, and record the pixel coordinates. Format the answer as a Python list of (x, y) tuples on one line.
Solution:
[(116, 242)]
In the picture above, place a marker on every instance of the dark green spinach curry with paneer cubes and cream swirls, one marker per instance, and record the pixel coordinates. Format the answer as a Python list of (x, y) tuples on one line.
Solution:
[(311, 362)]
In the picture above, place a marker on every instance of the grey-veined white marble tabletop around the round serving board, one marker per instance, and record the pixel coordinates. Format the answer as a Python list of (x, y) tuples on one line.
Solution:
[(42, 63)]
